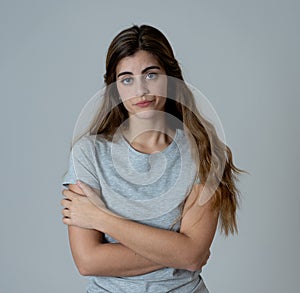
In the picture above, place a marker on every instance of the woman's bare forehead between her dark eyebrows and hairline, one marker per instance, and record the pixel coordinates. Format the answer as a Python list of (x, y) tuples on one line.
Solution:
[(137, 62)]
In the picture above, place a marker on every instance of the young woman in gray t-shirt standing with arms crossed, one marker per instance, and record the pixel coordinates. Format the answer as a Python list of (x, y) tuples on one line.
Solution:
[(138, 220)]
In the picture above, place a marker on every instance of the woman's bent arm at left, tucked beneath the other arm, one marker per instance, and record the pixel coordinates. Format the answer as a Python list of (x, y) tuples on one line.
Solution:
[(92, 257)]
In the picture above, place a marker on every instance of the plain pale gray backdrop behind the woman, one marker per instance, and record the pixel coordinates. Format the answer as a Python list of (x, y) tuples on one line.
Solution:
[(243, 55)]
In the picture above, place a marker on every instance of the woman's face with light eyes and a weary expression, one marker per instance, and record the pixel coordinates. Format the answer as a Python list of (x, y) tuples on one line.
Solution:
[(142, 84)]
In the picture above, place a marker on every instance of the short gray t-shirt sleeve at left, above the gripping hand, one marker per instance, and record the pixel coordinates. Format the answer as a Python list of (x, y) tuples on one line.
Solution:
[(82, 165)]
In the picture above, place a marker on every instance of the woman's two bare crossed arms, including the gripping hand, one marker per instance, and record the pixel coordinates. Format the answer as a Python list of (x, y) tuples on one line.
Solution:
[(141, 248)]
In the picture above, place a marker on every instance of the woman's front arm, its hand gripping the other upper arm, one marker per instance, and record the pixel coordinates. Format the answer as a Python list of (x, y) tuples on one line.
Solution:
[(187, 249)]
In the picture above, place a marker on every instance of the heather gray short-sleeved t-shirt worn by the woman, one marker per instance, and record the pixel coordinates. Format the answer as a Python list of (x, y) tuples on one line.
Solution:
[(147, 188)]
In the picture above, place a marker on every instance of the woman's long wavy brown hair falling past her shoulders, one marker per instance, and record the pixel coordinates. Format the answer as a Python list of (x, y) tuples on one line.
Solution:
[(213, 153)]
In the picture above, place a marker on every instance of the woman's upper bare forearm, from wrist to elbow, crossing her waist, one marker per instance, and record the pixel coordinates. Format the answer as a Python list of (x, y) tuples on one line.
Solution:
[(169, 248)]
